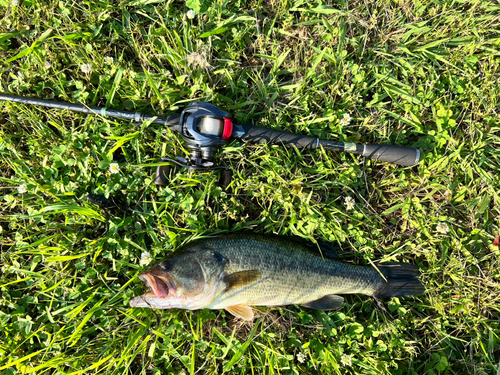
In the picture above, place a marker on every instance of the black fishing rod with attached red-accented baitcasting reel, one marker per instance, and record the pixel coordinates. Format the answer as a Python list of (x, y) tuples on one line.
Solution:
[(206, 128)]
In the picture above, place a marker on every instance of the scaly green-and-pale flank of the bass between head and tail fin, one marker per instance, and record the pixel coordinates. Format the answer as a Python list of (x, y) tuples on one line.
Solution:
[(290, 275)]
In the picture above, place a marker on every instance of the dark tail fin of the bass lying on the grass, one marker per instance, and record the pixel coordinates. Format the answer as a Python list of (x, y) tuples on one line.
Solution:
[(402, 280)]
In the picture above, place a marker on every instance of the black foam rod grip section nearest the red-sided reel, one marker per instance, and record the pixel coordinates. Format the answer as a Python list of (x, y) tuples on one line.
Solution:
[(256, 134)]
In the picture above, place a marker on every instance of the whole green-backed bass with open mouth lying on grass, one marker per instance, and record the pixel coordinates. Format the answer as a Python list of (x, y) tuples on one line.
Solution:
[(240, 270)]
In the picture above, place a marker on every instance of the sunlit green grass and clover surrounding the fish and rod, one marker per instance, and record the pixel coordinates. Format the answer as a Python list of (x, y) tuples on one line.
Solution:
[(422, 74)]
